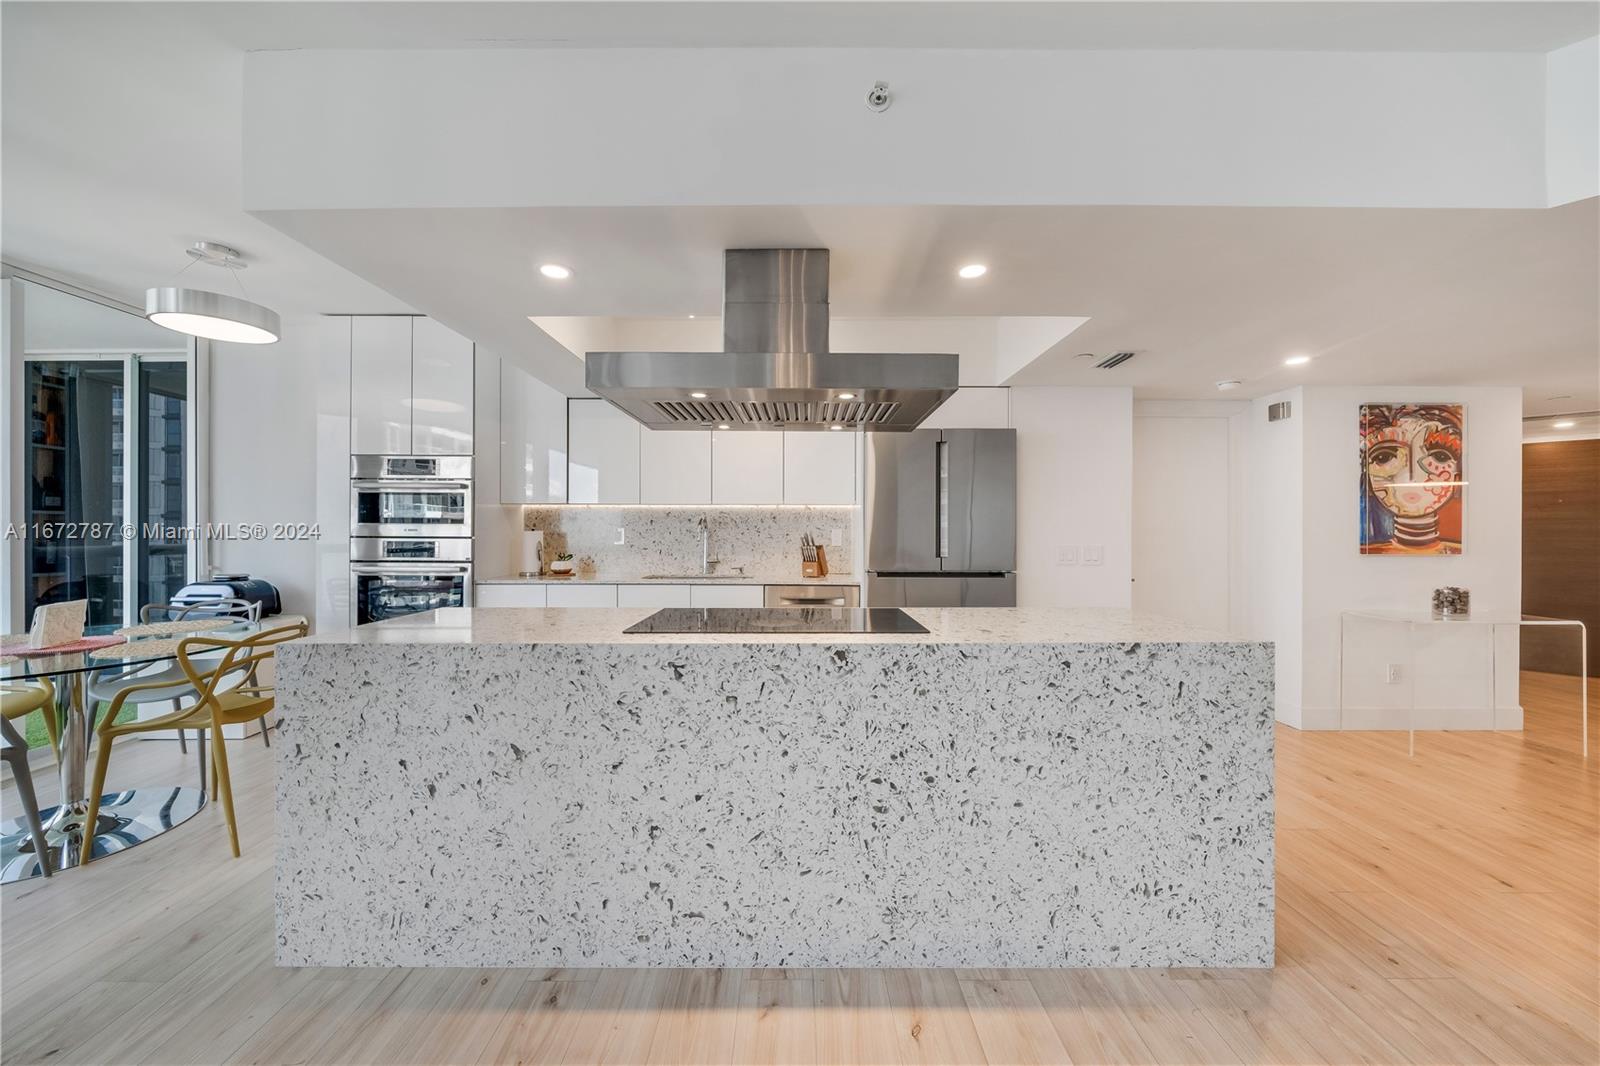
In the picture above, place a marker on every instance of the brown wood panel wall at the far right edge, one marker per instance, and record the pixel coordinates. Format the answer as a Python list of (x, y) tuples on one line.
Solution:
[(1561, 551)]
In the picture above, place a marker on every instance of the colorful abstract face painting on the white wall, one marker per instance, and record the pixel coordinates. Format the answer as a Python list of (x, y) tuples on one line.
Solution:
[(1412, 479)]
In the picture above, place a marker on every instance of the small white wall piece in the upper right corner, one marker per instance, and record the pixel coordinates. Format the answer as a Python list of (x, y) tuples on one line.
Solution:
[(1572, 122)]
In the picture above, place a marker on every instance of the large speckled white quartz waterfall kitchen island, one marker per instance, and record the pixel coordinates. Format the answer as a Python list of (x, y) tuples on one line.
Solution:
[(1014, 788)]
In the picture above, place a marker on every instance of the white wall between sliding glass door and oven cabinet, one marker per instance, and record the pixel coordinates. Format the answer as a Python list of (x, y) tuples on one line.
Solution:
[(263, 463)]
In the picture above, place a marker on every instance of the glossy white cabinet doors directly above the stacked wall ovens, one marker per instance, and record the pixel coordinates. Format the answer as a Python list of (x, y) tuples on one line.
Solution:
[(410, 388)]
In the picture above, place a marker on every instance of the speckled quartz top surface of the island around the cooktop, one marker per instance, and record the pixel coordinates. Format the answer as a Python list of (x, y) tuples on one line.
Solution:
[(946, 625)]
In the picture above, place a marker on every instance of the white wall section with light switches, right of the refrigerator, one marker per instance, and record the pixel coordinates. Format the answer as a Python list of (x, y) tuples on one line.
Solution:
[(1074, 489)]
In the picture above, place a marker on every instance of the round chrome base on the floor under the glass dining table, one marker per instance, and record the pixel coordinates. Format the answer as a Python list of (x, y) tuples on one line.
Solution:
[(126, 820)]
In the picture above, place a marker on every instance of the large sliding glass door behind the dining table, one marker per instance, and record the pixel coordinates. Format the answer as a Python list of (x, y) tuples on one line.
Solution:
[(106, 428)]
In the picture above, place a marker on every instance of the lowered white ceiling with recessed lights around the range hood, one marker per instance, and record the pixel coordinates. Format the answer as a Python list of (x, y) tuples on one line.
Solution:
[(1394, 297)]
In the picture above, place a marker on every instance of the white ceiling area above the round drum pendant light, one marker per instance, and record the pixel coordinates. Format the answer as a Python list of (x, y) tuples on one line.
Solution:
[(122, 140)]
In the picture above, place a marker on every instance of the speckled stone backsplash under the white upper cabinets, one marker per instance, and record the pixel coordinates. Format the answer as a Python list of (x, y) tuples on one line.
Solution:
[(668, 540)]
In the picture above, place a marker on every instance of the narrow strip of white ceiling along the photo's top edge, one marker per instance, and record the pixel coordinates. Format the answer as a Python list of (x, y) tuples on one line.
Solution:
[(1390, 26)]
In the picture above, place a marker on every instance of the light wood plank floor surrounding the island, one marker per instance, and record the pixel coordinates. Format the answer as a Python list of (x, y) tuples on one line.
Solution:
[(1431, 910)]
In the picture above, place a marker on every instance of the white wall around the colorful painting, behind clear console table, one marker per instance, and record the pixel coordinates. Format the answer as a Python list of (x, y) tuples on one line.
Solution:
[(1306, 566)]
